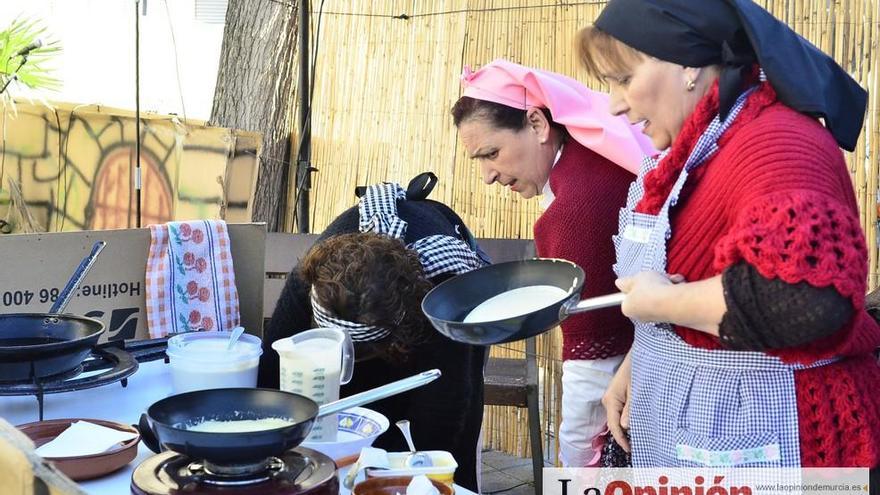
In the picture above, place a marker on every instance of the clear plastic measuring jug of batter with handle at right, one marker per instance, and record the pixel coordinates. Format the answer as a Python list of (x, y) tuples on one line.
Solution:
[(315, 363)]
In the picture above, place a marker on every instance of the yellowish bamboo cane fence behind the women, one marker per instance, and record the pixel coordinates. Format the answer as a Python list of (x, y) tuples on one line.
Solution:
[(385, 82)]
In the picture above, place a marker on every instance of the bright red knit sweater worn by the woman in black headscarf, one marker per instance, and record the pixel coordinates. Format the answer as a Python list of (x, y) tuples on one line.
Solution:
[(778, 195)]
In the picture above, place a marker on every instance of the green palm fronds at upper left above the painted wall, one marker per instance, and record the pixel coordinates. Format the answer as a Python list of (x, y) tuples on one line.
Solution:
[(34, 73)]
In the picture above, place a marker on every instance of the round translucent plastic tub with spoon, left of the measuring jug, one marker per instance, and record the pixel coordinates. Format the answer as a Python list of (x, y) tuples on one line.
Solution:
[(200, 360)]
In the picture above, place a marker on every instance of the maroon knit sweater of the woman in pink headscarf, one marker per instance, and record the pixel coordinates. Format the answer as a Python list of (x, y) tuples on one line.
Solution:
[(589, 191)]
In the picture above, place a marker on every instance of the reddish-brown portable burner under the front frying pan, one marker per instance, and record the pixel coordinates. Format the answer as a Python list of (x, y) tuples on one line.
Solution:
[(298, 471)]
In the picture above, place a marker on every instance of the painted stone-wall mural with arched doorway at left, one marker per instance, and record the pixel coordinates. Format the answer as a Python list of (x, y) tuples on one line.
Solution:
[(75, 167)]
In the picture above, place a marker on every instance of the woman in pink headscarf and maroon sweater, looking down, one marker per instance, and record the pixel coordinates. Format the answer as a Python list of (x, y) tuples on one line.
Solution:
[(541, 133)]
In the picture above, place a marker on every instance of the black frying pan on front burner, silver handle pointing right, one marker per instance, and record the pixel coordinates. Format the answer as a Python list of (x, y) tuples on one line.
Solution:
[(164, 425)]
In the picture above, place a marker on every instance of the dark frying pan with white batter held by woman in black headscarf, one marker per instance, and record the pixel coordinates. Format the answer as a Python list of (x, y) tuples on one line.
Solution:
[(447, 304)]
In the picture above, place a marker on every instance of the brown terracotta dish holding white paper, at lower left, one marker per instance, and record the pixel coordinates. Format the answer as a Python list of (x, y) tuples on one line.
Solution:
[(84, 467)]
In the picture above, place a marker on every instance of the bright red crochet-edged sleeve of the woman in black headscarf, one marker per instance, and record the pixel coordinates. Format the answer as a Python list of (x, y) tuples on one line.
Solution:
[(798, 221)]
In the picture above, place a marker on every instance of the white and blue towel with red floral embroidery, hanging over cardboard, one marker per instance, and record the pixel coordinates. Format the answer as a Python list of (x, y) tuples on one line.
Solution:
[(190, 281)]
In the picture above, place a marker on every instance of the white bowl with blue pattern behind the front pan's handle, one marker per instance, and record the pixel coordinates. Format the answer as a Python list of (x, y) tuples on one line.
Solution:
[(358, 428)]
